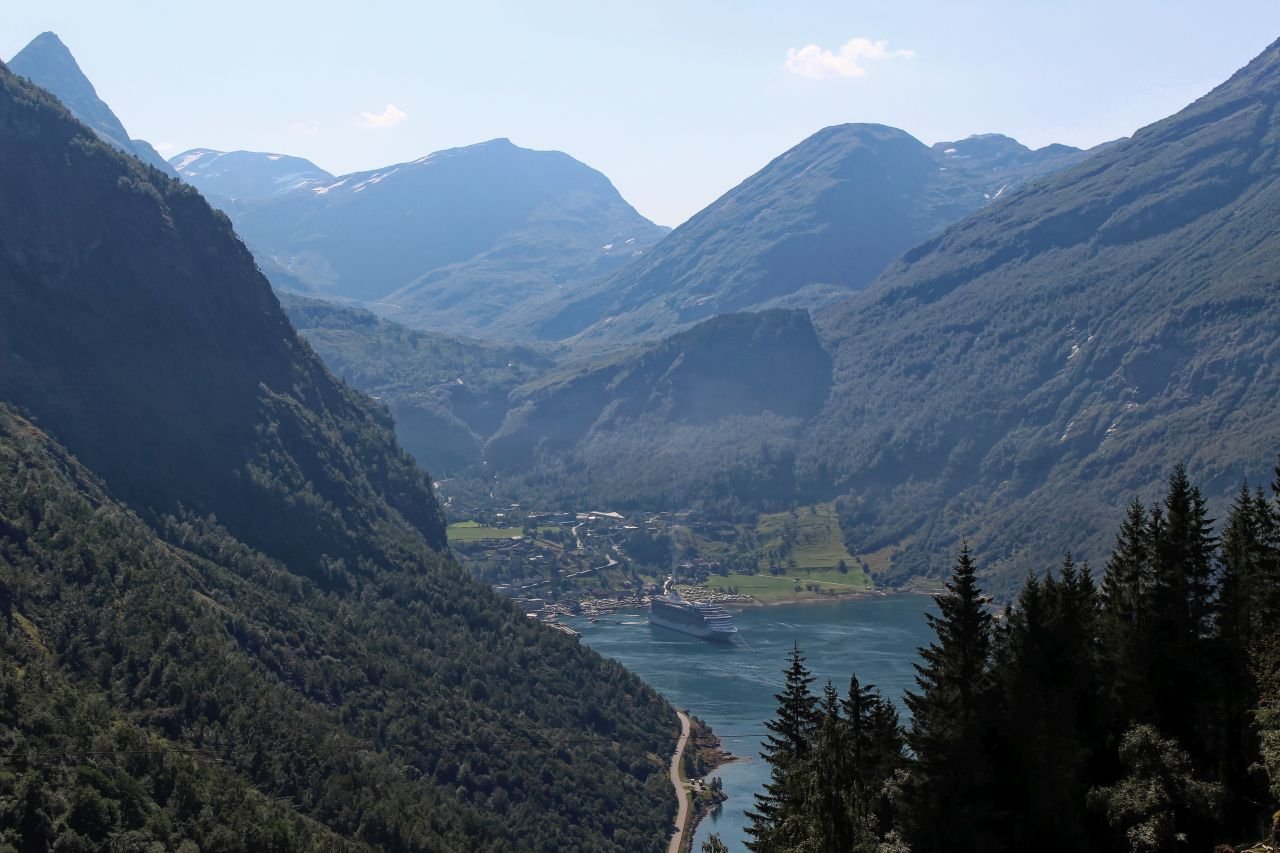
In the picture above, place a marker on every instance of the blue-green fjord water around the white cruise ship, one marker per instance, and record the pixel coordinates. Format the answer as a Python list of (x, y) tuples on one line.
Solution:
[(733, 687)]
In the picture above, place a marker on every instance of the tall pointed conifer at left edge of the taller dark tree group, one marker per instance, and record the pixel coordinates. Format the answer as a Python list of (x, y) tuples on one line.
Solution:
[(948, 795)]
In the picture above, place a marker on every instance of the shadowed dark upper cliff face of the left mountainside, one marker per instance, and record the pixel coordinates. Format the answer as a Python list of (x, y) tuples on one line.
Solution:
[(141, 334)]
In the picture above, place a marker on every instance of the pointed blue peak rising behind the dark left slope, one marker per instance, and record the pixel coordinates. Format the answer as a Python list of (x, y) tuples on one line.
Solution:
[(48, 63)]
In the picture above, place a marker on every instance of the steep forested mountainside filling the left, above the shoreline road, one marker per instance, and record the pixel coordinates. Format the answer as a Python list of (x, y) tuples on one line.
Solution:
[(222, 577)]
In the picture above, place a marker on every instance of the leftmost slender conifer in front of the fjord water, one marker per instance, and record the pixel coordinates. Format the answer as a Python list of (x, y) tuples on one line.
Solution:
[(788, 745)]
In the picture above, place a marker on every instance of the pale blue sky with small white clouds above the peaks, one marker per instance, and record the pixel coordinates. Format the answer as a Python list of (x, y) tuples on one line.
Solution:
[(676, 102)]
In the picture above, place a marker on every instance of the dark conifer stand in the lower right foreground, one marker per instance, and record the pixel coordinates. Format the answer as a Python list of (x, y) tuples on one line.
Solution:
[(1139, 713)]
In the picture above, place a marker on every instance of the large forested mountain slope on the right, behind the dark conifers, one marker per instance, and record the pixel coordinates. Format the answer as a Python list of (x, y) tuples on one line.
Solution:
[(1023, 376)]
